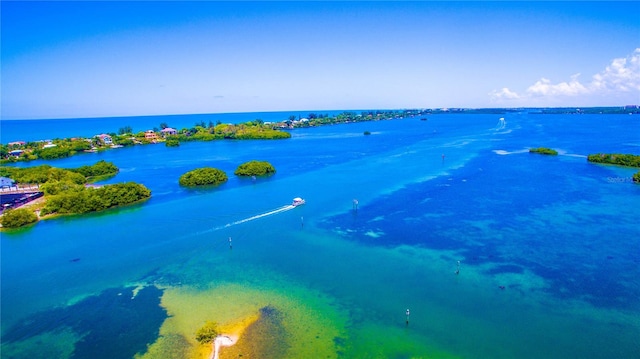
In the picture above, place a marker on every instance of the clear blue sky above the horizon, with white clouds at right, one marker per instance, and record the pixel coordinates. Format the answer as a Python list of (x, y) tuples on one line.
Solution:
[(100, 59)]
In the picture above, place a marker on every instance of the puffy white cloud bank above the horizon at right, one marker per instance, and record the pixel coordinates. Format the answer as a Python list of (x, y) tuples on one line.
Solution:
[(622, 76)]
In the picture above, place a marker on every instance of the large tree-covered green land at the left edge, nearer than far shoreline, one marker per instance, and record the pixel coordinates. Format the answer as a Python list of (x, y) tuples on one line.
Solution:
[(68, 191)]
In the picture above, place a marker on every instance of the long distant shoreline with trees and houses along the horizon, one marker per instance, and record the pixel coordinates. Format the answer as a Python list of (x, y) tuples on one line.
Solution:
[(252, 130)]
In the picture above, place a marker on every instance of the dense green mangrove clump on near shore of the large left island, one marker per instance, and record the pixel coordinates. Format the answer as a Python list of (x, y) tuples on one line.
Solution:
[(81, 199)]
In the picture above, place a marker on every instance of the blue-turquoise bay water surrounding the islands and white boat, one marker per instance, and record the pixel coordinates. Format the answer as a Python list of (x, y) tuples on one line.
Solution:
[(548, 245)]
